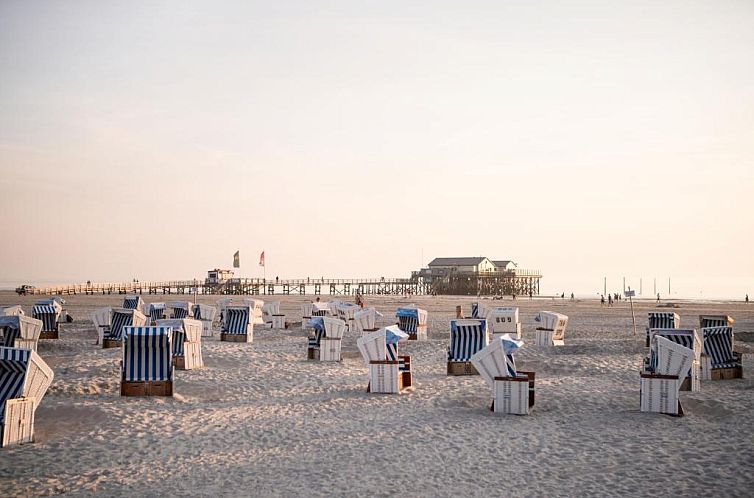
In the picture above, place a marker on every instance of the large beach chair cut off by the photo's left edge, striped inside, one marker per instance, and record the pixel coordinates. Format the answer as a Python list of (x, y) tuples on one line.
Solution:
[(24, 379)]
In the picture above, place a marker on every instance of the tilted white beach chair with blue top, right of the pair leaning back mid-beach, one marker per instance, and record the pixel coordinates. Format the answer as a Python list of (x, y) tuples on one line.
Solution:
[(513, 391)]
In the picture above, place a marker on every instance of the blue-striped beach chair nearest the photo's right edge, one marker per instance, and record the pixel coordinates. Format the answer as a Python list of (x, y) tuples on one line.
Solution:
[(719, 361)]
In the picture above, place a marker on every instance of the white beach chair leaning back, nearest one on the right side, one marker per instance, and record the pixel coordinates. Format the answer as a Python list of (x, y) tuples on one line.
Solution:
[(669, 365)]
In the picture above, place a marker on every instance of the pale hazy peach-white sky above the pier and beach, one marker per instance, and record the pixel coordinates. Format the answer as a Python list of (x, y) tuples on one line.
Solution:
[(587, 139)]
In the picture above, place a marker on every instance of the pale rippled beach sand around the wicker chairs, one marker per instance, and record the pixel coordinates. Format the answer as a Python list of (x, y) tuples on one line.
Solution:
[(259, 420)]
